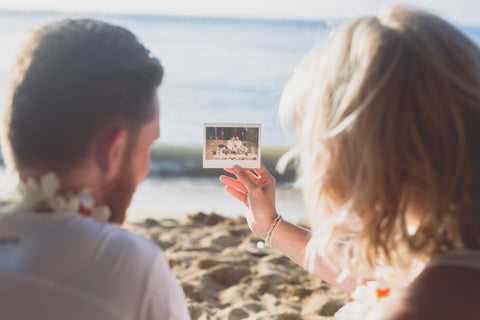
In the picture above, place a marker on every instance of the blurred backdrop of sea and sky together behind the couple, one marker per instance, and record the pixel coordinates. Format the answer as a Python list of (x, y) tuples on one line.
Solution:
[(225, 61)]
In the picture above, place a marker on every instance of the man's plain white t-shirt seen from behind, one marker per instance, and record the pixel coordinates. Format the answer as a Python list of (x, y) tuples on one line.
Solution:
[(66, 266)]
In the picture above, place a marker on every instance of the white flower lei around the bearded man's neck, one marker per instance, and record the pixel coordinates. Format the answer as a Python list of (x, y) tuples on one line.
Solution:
[(18, 196)]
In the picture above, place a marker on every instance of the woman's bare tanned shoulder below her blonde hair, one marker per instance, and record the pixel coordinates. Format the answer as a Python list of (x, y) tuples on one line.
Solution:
[(448, 288)]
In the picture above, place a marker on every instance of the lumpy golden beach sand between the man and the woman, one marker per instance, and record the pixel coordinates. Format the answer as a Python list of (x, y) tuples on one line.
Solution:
[(226, 276)]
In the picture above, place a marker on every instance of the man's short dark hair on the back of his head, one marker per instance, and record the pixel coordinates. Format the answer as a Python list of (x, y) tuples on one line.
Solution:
[(71, 79)]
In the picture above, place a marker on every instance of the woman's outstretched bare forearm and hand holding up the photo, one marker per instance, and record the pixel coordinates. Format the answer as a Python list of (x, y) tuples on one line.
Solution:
[(257, 192)]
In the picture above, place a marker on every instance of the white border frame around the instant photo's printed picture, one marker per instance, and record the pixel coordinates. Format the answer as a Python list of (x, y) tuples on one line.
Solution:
[(250, 164)]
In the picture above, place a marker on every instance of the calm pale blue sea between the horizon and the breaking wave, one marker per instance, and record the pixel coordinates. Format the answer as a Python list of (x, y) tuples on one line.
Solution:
[(216, 70)]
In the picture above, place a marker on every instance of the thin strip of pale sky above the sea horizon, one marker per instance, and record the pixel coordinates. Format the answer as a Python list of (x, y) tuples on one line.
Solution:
[(458, 11)]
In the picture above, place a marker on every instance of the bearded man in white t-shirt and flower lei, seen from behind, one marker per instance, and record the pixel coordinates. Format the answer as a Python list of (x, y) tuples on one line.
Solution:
[(80, 116)]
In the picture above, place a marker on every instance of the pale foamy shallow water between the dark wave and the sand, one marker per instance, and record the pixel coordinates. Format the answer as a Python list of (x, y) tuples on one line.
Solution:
[(177, 197)]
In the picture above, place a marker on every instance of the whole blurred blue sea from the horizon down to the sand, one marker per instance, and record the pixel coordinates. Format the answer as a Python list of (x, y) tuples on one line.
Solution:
[(216, 70)]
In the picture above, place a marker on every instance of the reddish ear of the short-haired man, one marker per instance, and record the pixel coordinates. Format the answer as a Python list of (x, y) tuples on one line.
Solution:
[(109, 150)]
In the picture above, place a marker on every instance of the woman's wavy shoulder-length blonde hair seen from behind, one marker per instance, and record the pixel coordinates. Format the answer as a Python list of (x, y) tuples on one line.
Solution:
[(387, 118)]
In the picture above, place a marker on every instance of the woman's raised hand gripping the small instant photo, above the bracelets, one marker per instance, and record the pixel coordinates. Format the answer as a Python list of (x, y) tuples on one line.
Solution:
[(256, 189)]
